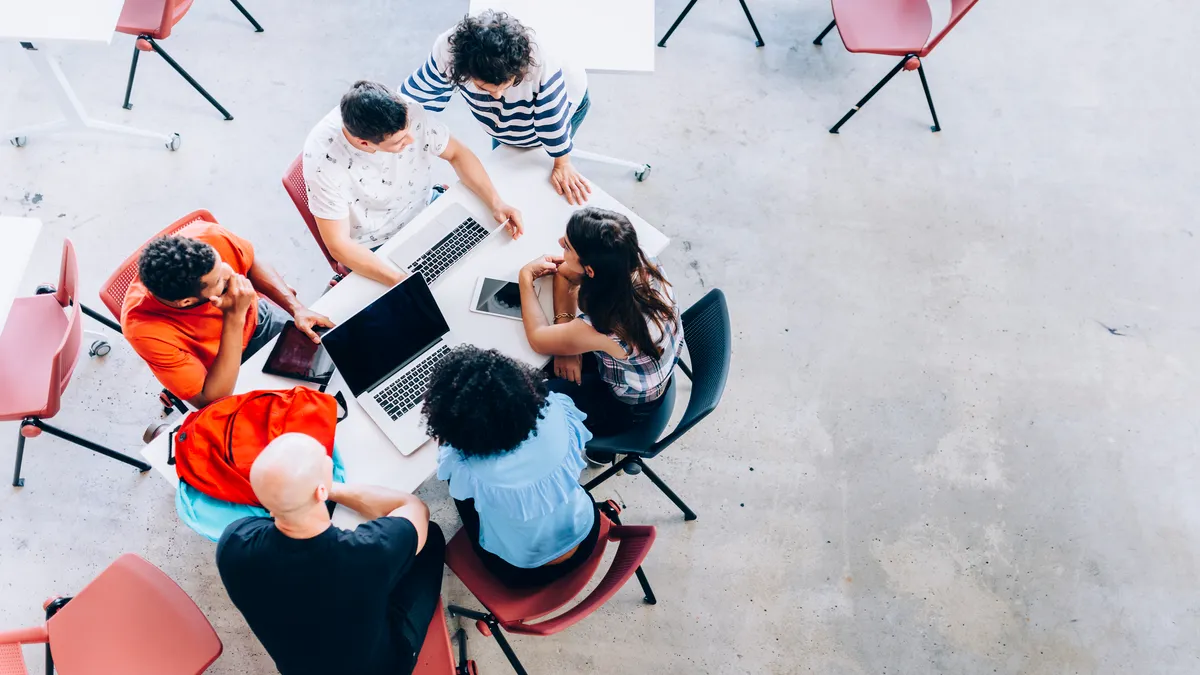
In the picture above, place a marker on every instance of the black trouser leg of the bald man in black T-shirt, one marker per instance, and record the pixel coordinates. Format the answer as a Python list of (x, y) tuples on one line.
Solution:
[(413, 601)]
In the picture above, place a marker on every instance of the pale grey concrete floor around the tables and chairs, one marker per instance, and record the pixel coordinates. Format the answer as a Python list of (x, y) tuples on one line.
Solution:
[(959, 435)]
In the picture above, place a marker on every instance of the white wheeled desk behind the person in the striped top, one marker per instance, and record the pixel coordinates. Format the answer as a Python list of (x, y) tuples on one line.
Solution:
[(596, 35)]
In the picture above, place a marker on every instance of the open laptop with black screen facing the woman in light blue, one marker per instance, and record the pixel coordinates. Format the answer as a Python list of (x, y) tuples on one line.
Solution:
[(387, 353)]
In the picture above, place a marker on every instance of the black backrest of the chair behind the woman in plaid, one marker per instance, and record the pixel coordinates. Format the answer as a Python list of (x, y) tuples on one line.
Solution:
[(710, 341)]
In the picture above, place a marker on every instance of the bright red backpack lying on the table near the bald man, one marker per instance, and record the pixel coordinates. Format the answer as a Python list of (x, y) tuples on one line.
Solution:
[(217, 445)]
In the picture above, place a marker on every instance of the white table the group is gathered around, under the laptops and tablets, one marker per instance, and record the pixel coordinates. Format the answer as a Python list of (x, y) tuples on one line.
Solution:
[(520, 177)]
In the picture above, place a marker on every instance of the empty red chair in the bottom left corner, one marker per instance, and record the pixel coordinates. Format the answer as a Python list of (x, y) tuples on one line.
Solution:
[(131, 620)]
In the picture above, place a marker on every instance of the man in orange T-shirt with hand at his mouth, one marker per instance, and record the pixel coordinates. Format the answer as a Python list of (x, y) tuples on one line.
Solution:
[(194, 315)]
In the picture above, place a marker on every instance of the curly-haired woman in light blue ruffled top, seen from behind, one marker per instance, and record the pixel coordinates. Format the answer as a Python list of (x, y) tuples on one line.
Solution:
[(513, 453)]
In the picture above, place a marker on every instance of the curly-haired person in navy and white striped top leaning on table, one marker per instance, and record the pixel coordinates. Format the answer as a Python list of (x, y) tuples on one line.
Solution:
[(519, 92)]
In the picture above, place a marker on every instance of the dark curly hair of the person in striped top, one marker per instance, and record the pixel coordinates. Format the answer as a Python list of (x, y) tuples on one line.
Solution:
[(493, 47)]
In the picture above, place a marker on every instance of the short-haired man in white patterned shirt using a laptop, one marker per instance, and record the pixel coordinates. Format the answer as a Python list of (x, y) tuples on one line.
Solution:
[(369, 170)]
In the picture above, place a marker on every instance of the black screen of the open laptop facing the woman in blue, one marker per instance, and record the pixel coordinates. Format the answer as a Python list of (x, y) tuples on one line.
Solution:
[(386, 336)]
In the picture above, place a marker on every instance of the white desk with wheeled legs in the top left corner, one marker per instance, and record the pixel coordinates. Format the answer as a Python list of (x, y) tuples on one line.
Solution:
[(33, 25)]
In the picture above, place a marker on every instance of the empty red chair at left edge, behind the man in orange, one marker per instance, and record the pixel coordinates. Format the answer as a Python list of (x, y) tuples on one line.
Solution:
[(39, 350)]
